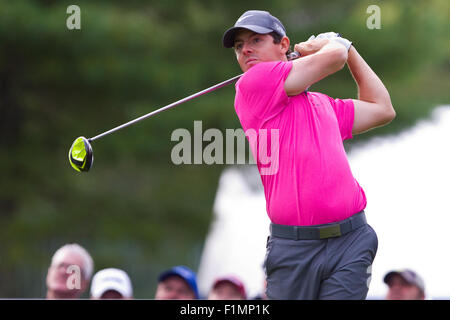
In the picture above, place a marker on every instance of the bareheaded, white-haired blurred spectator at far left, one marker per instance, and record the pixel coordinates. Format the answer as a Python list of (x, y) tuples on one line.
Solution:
[(69, 273)]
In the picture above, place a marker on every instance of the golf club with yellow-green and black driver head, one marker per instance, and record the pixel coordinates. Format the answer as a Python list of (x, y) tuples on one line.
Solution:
[(81, 156)]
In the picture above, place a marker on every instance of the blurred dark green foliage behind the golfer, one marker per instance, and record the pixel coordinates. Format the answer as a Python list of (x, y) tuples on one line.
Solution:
[(136, 210)]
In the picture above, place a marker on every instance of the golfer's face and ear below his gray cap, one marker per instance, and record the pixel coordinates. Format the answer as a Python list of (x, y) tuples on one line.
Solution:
[(252, 48)]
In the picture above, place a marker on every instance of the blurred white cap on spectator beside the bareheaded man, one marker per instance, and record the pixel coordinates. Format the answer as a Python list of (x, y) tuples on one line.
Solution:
[(111, 279)]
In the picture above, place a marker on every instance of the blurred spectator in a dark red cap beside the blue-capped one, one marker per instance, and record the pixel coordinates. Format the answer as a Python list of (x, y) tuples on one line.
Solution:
[(228, 288)]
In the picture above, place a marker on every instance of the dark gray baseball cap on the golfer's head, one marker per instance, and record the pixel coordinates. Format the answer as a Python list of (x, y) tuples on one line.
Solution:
[(257, 21)]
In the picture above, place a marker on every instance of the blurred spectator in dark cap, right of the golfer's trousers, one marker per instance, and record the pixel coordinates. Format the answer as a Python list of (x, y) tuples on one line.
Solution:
[(404, 285)]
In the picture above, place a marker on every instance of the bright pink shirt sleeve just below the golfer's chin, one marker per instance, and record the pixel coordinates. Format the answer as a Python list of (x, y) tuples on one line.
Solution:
[(260, 92)]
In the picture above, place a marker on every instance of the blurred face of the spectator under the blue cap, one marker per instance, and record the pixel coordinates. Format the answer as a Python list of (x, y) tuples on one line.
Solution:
[(174, 288)]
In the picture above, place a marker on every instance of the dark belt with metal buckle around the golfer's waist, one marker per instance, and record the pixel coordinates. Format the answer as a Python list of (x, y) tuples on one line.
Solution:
[(329, 230)]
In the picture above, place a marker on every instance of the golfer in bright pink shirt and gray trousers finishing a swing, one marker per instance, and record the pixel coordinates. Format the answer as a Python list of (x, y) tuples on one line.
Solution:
[(320, 245)]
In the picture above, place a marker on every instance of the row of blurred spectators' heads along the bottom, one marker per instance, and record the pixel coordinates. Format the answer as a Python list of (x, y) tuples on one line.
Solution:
[(71, 274)]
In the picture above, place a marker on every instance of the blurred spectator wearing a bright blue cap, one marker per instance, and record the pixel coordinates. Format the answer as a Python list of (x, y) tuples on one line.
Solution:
[(179, 282)]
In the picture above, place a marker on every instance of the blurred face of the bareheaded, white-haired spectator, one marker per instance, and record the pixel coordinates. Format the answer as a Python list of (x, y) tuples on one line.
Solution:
[(70, 264)]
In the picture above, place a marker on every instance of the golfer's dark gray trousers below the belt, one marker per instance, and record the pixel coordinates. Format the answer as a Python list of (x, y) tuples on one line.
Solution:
[(335, 268)]
